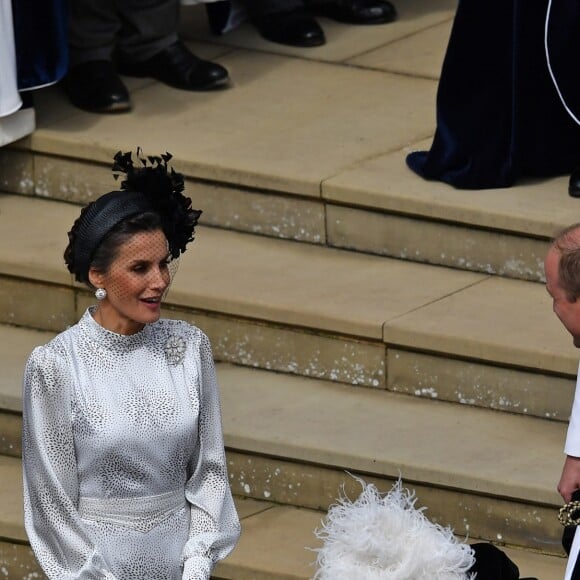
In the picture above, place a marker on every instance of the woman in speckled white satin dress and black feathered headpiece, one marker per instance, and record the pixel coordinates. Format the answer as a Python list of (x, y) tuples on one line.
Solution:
[(124, 466)]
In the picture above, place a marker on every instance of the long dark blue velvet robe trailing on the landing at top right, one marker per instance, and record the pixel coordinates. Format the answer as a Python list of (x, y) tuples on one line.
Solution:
[(499, 116)]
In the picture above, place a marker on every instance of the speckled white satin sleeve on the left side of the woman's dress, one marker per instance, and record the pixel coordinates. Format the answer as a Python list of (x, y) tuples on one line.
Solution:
[(60, 543)]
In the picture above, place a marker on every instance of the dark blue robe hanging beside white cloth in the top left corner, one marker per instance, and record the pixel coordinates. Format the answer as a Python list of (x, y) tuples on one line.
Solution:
[(40, 33)]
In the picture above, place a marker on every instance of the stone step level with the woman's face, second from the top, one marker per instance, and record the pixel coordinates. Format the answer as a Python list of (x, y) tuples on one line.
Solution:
[(423, 330)]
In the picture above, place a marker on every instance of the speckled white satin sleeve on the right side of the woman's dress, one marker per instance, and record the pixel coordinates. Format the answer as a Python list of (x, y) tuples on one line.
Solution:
[(214, 528)]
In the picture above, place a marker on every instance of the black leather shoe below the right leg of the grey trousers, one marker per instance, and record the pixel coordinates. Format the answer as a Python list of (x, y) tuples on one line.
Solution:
[(178, 67)]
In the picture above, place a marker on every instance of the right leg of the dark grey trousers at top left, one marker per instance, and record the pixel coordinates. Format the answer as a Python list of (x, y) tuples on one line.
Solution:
[(148, 27)]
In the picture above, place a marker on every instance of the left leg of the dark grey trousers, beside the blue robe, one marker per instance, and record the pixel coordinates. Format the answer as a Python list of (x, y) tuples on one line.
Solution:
[(93, 28)]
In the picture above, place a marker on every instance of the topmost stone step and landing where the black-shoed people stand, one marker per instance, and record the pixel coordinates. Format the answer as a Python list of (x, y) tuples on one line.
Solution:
[(271, 156)]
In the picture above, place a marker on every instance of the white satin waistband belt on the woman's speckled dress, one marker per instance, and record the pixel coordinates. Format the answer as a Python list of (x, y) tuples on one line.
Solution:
[(137, 513)]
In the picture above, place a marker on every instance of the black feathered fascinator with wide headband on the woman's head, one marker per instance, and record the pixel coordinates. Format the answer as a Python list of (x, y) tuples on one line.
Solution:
[(151, 186)]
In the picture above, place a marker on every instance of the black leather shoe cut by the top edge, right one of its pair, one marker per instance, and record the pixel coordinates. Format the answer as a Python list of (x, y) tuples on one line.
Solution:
[(354, 11)]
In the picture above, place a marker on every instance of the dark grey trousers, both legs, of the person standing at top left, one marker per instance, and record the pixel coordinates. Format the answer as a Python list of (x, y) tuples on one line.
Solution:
[(137, 29)]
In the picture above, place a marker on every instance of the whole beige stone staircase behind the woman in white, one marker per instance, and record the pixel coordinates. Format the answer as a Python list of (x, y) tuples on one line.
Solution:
[(365, 321)]
